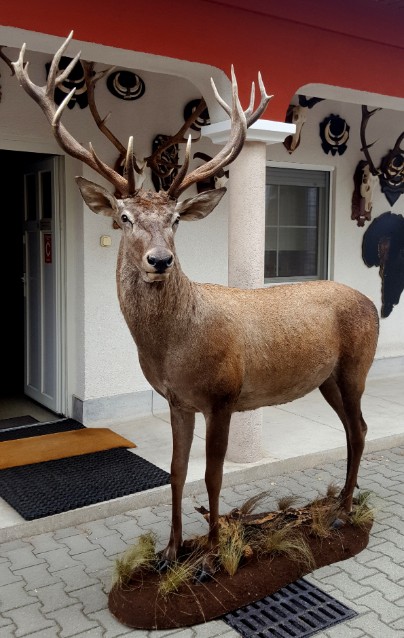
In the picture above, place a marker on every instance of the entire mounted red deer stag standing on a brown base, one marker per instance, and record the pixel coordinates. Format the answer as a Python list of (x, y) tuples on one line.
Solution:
[(213, 349)]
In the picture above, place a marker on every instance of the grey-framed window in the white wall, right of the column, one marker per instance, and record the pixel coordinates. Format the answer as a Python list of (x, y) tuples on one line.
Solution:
[(296, 224)]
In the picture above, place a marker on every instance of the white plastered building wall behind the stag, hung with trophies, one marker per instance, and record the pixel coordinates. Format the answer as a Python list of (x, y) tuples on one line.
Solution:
[(102, 358)]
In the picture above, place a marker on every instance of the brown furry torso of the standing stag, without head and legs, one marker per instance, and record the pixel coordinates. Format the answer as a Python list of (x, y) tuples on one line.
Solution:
[(252, 348)]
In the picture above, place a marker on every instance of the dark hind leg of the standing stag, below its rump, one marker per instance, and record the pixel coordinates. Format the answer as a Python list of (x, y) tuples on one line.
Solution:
[(345, 399)]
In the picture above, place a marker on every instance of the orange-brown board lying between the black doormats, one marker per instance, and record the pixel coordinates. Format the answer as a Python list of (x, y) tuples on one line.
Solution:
[(49, 447)]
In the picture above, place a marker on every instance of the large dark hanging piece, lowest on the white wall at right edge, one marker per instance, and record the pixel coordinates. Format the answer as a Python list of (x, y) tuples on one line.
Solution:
[(383, 246)]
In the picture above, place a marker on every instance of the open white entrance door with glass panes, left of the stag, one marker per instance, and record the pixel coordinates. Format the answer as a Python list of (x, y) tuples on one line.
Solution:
[(42, 279)]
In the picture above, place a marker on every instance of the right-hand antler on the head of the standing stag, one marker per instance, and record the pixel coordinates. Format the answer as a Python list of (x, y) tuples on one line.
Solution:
[(240, 121)]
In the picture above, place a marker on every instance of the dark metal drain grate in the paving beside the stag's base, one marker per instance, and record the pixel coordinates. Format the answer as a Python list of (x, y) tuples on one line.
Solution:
[(298, 610)]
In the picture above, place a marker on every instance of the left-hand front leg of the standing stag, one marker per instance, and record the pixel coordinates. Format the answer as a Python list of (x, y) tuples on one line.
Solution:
[(182, 428)]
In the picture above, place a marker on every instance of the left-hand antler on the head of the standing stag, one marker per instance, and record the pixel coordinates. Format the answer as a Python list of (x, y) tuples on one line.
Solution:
[(43, 96)]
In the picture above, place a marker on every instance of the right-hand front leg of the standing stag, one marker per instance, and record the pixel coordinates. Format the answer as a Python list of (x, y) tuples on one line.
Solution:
[(217, 436)]
